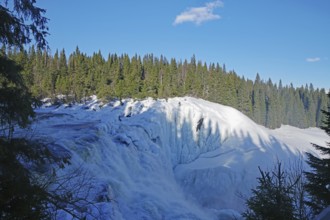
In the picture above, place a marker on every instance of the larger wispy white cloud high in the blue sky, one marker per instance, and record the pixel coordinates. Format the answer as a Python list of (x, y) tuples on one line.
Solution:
[(198, 15)]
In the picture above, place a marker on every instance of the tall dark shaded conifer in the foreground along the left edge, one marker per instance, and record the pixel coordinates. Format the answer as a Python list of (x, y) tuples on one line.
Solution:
[(25, 189)]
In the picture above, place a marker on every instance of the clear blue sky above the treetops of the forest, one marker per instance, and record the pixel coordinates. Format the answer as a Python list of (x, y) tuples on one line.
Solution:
[(286, 39)]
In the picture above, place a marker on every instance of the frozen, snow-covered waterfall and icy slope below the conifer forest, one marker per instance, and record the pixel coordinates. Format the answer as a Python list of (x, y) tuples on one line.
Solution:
[(181, 158)]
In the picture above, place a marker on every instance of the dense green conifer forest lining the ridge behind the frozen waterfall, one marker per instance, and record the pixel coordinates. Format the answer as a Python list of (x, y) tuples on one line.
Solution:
[(120, 76)]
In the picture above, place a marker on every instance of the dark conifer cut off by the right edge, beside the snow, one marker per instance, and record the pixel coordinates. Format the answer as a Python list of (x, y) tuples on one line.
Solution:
[(318, 179)]
